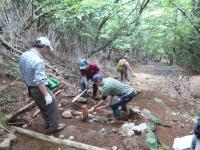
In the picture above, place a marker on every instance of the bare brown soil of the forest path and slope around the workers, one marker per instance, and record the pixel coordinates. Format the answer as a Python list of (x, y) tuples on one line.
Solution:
[(177, 89)]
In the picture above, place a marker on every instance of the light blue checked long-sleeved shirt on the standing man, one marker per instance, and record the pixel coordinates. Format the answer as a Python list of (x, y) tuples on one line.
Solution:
[(32, 68)]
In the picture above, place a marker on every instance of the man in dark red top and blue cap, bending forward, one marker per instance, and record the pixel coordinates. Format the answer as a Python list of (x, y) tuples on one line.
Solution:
[(88, 70)]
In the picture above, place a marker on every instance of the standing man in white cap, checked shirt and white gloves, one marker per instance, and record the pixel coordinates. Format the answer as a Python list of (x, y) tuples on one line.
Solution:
[(32, 73)]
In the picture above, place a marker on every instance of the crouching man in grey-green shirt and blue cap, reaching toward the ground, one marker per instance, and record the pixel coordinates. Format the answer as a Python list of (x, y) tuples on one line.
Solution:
[(111, 88)]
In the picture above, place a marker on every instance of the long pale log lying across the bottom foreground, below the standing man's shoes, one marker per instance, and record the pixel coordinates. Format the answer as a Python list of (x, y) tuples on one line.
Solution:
[(55, 140)]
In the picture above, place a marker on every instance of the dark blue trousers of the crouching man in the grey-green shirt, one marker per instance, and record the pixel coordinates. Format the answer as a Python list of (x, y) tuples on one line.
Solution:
[(121, 103)]
